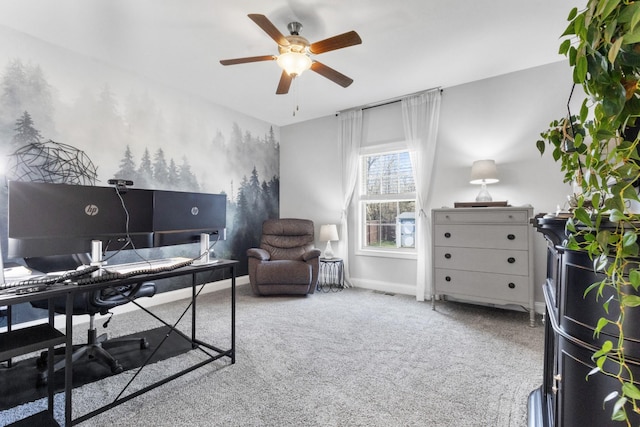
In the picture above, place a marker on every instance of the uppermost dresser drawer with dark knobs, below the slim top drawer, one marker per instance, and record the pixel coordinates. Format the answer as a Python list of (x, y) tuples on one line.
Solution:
[(486, 236)]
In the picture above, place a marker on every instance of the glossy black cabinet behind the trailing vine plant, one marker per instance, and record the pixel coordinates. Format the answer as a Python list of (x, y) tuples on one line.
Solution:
[(566, 397)]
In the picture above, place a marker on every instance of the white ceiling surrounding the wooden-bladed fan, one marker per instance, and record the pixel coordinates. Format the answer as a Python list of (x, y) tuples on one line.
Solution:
[(408, 45)]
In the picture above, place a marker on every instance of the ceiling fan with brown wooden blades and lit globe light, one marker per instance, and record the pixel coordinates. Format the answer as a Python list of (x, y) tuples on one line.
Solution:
[(294, 53)]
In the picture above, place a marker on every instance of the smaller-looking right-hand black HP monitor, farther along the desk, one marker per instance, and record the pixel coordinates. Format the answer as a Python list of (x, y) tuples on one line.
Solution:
[(181, 217)]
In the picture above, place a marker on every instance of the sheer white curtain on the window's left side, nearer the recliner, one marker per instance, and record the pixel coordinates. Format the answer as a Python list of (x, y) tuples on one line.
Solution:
[(350, 141)]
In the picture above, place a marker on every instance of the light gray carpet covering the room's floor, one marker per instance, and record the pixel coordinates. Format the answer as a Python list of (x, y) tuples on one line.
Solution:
[(350, 358)]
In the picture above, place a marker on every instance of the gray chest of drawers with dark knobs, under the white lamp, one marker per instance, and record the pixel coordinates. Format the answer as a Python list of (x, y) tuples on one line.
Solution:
[(484, 255)]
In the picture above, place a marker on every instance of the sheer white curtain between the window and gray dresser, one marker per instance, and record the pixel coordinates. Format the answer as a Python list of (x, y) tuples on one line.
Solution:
[(420, 114)]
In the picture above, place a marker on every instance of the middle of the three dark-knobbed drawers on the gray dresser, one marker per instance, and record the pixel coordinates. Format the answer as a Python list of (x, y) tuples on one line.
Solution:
[(484, 260)]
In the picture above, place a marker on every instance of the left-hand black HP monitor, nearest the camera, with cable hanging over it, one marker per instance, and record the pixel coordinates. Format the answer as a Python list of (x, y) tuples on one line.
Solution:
[(56, 219)]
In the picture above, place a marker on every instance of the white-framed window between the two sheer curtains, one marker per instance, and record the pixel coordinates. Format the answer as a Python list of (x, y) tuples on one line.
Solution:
[(387, 202)]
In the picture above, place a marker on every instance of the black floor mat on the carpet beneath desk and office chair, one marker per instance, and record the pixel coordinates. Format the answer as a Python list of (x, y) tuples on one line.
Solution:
[(18, 383)]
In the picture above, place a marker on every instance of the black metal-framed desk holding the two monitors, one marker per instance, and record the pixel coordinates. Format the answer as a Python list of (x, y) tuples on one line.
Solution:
[(22, 341)]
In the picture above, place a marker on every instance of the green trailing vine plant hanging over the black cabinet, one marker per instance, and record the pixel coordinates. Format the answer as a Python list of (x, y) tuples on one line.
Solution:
[(598, 151)]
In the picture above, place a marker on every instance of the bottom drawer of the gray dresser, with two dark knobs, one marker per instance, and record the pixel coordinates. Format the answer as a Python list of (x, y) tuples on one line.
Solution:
[(487, 287)]
